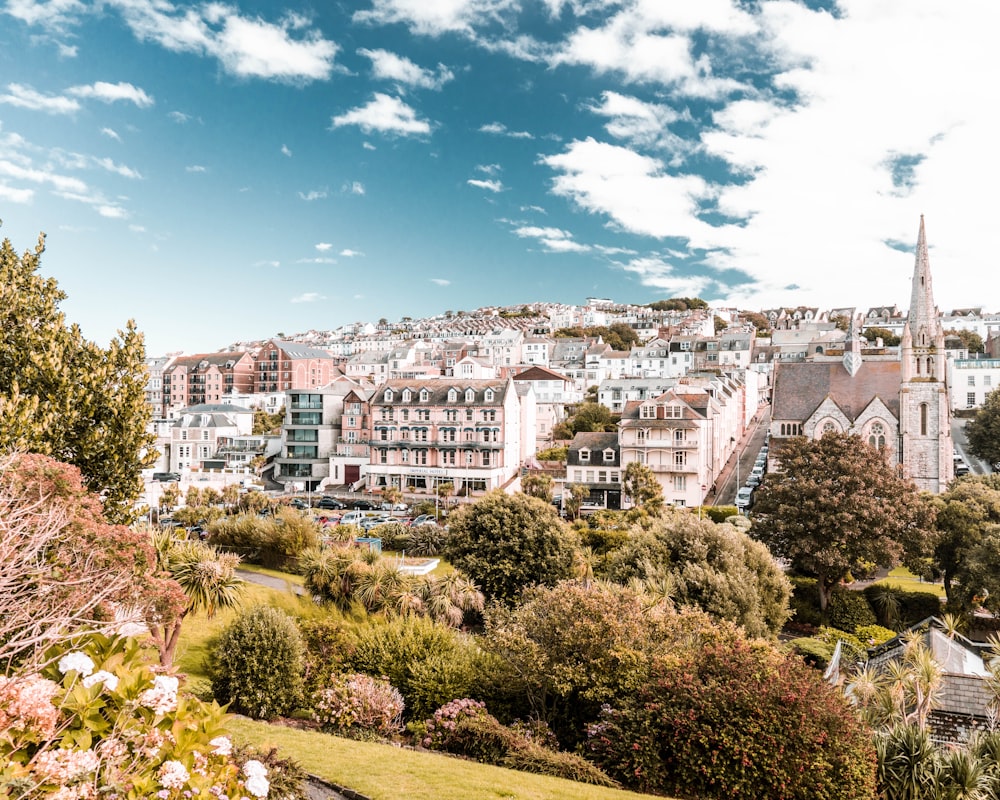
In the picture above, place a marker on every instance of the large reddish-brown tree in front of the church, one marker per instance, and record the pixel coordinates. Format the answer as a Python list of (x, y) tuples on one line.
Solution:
[(835, 507)]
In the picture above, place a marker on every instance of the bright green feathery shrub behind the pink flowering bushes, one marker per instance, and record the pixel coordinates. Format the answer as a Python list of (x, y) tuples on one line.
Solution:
[(428, 663)]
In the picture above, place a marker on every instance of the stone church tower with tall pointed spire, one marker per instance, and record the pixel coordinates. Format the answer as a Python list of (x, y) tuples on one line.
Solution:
[(925, 444)]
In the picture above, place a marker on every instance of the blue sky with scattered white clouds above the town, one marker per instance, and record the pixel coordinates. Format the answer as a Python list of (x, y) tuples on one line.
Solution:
[(226, 171)]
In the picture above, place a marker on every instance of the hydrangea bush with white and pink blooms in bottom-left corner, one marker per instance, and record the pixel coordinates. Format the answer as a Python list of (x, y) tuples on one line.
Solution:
[(99, 722)]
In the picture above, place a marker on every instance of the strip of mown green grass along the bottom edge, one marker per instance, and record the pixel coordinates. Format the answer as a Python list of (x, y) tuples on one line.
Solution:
[(385, 772)]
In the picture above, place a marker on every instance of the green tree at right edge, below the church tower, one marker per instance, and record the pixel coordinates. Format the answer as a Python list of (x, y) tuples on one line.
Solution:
[(970, 503)]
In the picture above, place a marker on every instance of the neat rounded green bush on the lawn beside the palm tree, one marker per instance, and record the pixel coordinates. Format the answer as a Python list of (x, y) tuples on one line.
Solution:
[(257, 664)]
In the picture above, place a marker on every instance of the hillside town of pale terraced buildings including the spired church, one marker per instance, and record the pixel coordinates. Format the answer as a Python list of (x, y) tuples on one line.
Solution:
[(471, 398)]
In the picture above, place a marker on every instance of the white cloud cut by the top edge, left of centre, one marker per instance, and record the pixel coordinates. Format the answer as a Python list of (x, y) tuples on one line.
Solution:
[(437, 17)]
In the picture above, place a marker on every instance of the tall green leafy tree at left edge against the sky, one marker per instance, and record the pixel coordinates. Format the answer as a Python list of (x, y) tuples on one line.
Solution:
[(63, 395)]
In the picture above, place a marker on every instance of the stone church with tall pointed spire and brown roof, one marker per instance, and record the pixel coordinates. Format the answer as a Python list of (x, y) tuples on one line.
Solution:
[(897, 402)]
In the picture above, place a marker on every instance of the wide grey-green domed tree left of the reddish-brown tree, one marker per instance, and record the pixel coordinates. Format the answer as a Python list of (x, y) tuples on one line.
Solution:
[(716, 568)]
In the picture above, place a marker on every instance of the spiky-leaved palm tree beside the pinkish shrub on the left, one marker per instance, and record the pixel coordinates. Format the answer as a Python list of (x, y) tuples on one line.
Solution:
[(207, 578)]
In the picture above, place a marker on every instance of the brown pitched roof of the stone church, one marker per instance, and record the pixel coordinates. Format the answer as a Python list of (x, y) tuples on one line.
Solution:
[(800, 387)]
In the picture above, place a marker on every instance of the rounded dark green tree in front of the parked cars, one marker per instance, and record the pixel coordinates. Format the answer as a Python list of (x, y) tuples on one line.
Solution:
[(505, 543)]
